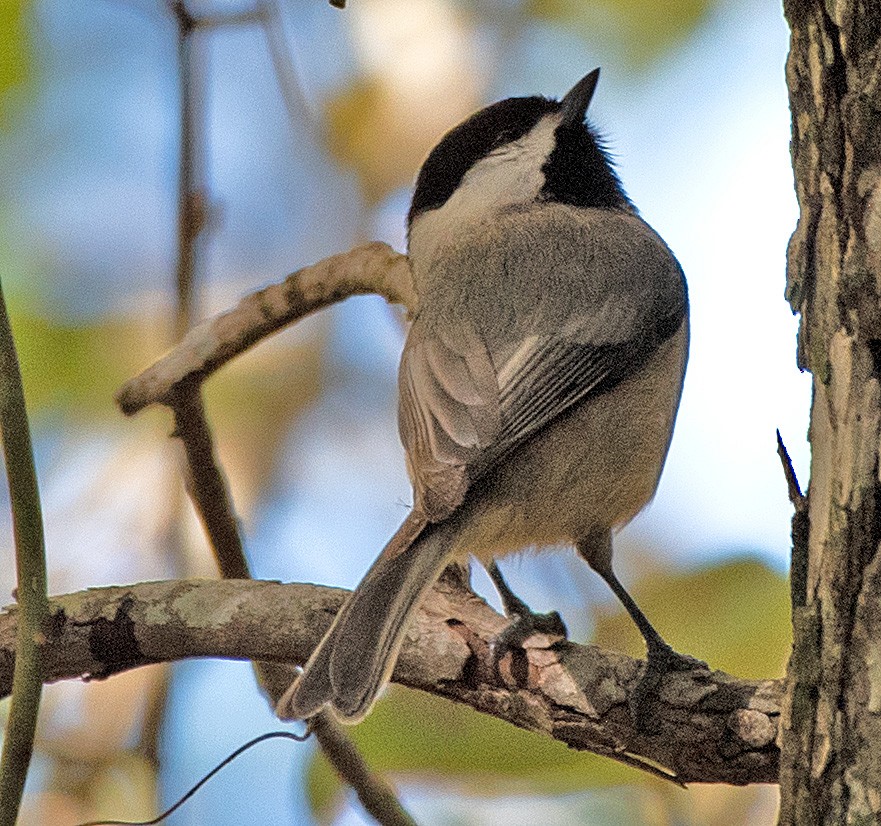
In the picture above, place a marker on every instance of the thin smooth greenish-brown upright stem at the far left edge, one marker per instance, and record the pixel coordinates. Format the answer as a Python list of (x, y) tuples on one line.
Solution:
[(30, 560)]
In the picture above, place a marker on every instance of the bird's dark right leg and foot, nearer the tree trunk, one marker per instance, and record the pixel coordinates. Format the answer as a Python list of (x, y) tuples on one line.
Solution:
[(661, 658)]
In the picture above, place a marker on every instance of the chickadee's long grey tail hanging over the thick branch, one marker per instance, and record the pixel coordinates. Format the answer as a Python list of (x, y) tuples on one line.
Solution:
[(355, 658)]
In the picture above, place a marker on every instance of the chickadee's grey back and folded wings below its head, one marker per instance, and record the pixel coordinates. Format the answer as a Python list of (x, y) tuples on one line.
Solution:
[(476, 382)]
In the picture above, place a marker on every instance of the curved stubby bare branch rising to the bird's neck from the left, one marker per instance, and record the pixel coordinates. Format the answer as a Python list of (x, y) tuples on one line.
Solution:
[(371, 268)]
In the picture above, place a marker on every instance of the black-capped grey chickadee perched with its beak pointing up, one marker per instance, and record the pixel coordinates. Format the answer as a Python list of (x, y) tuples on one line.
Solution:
[(539, 382)]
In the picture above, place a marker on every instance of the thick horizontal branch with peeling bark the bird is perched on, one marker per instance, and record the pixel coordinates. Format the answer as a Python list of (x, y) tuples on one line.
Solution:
[(705, 727)]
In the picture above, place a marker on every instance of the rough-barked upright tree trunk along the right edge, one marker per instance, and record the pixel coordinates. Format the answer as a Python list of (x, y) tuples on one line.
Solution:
[(831, 726)]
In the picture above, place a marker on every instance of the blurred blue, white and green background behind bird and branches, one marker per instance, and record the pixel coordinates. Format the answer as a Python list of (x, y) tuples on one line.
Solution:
[(309, 123)]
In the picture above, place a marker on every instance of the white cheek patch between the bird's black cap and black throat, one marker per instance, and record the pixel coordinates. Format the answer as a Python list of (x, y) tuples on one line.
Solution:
[(512, 175)]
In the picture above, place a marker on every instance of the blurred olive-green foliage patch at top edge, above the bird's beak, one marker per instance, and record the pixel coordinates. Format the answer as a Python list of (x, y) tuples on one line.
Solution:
[(643, 29)]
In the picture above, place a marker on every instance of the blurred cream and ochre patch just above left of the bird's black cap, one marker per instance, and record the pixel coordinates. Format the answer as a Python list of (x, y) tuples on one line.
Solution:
[(417, 76)]
